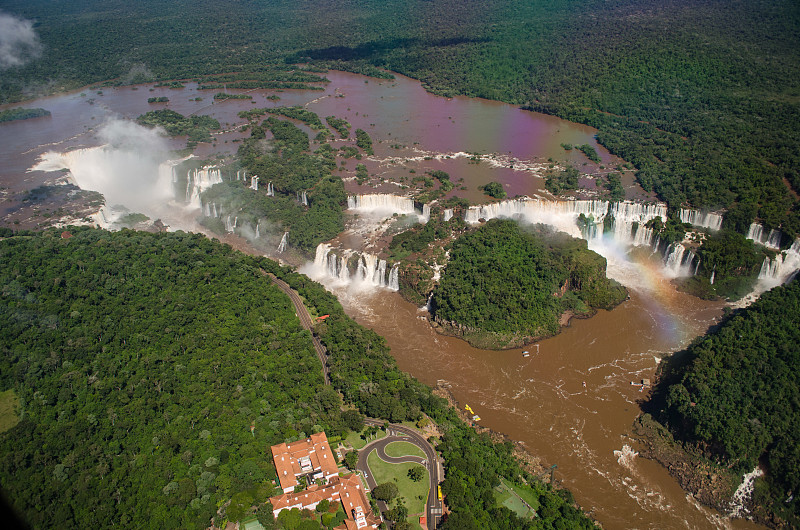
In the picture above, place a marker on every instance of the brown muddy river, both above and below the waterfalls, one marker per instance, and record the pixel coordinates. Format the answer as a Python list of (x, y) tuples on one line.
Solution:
[(571, 402)]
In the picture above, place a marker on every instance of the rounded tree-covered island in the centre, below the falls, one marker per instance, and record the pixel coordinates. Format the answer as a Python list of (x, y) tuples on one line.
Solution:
[(504, 285)]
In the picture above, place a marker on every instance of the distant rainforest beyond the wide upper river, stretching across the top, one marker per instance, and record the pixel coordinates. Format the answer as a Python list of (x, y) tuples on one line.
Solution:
[(700, 96)]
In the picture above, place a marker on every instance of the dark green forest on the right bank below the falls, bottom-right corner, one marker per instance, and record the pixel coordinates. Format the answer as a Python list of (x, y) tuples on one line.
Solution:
[(733, 396)]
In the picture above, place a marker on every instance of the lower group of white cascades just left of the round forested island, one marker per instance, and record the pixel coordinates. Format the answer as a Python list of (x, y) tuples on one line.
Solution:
[(369, 269)]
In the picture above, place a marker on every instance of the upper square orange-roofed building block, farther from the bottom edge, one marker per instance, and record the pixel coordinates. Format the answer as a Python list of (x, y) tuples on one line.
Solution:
[(311, 457)]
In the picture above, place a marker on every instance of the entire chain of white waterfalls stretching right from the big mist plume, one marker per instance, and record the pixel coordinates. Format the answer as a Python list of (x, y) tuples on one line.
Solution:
[(623, 223)]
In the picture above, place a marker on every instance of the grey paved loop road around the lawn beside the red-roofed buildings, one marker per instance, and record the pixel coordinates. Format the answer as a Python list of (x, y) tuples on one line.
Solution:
[(433, 508)]
